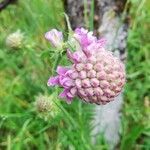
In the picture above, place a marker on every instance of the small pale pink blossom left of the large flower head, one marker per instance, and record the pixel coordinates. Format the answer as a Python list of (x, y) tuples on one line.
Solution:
[(55, 37)]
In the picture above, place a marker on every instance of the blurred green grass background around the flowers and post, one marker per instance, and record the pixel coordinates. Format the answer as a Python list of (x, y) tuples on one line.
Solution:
[(24, 72)]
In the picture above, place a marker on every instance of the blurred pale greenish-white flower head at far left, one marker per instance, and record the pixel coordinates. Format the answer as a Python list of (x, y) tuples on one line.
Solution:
[(14, 40)]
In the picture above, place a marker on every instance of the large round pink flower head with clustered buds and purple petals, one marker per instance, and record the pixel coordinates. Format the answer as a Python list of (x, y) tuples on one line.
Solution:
[(95, 76)]
